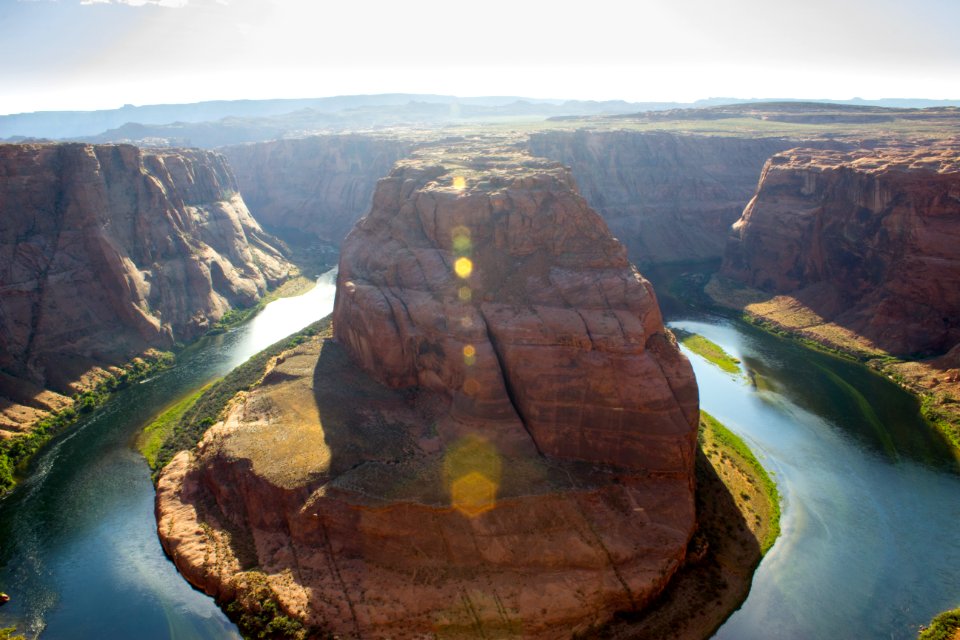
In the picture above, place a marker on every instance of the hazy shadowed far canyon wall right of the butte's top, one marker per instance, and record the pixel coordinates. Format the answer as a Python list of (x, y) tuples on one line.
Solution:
[(667, 197)]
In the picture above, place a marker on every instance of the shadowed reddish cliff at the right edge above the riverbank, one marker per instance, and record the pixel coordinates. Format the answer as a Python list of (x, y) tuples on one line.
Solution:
[(866, 240)]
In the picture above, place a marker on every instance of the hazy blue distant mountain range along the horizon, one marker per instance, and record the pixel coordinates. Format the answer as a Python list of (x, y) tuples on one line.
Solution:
[(214, 123)]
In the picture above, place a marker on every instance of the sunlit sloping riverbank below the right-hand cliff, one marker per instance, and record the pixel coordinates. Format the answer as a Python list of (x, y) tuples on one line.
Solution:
[(934, 381)]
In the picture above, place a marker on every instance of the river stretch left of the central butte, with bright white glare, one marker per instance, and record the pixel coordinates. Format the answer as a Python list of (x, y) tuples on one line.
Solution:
[(79, 552)]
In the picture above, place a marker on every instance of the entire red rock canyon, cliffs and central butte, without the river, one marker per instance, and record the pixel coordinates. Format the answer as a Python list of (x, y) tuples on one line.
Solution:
[(448, 419)]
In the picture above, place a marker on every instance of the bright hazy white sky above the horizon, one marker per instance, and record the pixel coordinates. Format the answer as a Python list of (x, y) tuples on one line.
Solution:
[(88, 54)]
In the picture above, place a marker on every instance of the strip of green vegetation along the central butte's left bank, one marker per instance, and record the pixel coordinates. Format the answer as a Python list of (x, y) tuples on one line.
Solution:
[(204, 410)]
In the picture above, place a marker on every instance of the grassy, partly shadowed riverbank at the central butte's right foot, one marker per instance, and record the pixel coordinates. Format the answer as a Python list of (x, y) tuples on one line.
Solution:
[(738, 516)]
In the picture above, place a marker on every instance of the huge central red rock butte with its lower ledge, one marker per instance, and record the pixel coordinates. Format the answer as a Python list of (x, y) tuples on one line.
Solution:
[(498, 441)]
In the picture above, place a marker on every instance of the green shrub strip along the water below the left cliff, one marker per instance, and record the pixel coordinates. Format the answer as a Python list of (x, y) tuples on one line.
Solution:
[(16, 453)]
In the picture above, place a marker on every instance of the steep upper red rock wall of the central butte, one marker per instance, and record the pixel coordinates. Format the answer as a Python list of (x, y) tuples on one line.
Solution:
[(564, 332)]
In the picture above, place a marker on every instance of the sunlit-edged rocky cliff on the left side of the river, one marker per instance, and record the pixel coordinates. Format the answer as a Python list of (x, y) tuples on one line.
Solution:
[(108, 250)]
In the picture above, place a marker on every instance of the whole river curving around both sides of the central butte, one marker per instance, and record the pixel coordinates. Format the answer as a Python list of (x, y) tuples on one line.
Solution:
[(870, 544)]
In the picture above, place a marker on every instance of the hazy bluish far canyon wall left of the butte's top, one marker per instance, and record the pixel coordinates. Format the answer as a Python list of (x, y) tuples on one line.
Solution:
[(319, 185)]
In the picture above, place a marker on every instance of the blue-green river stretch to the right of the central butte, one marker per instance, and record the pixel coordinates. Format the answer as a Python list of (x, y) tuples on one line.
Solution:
[(871, 521)]
